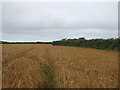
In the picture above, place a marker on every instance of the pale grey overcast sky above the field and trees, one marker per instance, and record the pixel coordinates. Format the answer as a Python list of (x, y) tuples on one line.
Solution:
[(54, 21)]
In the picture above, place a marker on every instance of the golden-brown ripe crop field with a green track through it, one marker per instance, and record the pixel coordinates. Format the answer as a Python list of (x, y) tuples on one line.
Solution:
[(42, 66)]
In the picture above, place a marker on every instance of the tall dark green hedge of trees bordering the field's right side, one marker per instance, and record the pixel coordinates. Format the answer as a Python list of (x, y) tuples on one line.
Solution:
[(110, 44)]
